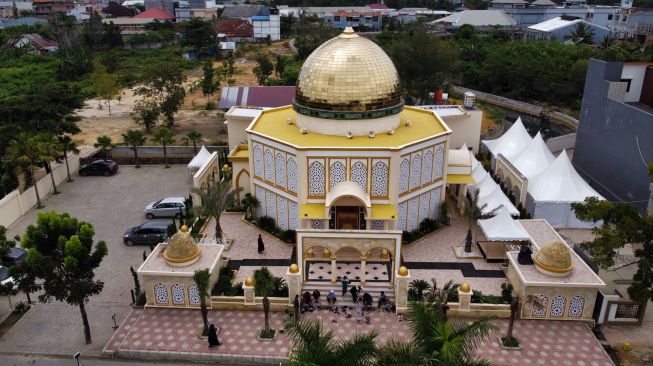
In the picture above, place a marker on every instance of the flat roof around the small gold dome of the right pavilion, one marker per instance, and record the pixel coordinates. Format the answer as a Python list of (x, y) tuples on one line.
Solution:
[(541, 233)]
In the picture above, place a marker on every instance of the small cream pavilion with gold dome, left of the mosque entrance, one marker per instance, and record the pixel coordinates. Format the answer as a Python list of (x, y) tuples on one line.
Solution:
[(167, 273)]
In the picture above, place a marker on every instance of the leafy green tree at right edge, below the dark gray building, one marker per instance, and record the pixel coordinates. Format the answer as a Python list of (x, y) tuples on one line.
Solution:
[(621, 224)]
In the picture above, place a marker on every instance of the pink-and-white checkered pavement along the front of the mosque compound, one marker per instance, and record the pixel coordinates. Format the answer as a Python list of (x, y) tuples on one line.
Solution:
[(172, 333)]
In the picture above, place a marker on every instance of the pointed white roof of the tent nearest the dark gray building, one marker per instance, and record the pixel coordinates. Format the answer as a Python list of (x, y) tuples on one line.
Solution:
[(560, 183)]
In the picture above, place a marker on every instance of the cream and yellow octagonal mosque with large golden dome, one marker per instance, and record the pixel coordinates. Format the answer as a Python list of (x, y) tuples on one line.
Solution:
[(348, 161)]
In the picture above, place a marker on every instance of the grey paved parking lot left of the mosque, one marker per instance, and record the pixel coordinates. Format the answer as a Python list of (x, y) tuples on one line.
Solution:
[(112, 205)]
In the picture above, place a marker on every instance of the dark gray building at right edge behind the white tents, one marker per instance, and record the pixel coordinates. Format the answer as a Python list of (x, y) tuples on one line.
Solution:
[(615, 136)]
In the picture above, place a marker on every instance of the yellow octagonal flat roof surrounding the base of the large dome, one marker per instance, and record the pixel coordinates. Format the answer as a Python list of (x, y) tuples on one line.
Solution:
[(273, 123)]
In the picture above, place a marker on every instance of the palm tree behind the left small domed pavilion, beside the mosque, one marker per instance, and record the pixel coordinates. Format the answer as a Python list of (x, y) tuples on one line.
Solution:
[(217, 197)]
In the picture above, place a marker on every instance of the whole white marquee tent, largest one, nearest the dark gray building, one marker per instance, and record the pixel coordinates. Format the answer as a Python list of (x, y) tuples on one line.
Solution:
[(552, 191)]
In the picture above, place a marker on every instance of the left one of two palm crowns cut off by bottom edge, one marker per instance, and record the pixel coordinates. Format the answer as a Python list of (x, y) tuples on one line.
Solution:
[(312, 345)]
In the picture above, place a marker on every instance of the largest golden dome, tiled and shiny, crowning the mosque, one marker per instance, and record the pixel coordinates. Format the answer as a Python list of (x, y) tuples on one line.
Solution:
[(348, 73)]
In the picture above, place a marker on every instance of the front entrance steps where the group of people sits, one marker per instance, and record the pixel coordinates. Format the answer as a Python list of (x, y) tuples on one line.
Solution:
[(373, 288)]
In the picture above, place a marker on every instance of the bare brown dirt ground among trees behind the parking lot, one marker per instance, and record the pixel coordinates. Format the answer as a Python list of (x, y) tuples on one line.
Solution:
[(96, 120)]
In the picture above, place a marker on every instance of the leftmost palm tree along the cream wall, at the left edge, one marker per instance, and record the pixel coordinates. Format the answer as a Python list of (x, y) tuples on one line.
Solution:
[(25, 151)]
